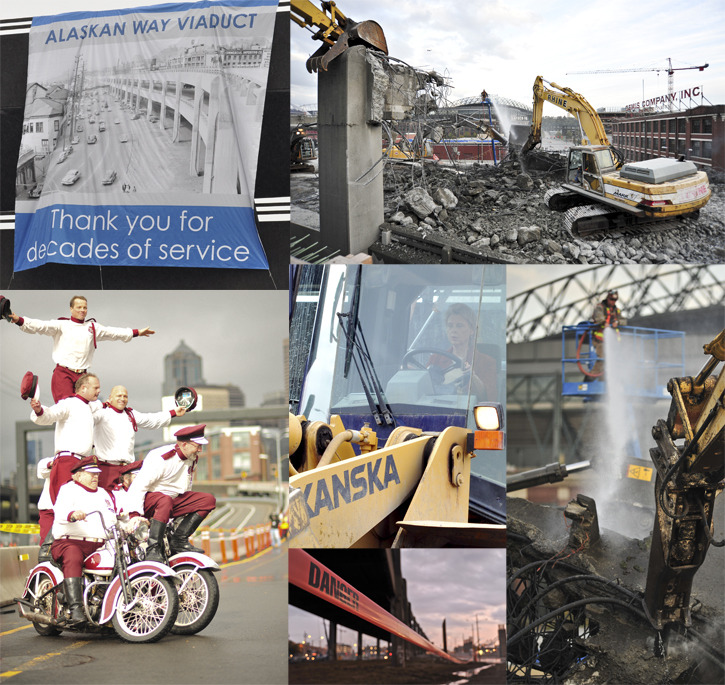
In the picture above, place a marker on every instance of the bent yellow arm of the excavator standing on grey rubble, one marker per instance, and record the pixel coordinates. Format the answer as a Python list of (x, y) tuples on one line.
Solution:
[(590, 125)]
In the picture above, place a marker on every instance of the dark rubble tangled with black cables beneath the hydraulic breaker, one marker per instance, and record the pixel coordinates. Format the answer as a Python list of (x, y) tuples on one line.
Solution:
[(575, 615)]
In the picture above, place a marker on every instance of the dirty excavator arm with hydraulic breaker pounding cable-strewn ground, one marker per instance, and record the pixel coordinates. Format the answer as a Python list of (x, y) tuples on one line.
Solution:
[(689, 478)]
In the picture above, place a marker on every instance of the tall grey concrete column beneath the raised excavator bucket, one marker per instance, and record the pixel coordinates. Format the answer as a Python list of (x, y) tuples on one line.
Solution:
[(351, 194)]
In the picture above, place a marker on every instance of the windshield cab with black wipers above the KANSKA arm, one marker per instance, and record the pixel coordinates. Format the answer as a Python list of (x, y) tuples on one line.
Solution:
[(408, 374)]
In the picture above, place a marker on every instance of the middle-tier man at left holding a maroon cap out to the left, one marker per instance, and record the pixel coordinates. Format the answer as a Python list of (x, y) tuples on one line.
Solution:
[(73, 419)]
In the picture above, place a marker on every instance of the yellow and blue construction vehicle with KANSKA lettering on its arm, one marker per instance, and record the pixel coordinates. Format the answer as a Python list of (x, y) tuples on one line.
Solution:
[(388, 449)]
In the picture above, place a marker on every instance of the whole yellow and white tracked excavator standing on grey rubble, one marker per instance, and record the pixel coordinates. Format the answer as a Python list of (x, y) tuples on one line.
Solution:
[(601, 191)]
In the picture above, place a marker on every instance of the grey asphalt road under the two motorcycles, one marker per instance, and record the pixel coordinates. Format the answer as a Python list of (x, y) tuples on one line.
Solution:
[(245, 643)]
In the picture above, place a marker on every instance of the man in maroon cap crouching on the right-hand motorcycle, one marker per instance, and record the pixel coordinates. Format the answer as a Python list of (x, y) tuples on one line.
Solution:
[(162, 489)]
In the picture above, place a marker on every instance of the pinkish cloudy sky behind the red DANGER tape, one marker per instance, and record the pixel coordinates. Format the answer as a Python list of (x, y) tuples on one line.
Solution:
[(451, 584)]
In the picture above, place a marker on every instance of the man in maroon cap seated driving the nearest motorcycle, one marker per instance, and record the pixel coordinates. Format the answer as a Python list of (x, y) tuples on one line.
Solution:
[(76, 535)]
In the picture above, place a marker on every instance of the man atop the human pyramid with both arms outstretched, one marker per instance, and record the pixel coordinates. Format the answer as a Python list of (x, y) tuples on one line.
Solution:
[(74, 341)]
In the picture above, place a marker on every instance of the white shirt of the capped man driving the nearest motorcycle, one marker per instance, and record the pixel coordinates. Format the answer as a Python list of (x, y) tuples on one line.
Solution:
[(76, 497)]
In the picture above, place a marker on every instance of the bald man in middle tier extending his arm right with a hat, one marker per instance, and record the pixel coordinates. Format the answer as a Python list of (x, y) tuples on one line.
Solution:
[(115, 430)]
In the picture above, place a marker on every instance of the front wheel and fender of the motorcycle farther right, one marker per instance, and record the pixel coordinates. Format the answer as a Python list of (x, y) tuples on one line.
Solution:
[(198, 589)]
